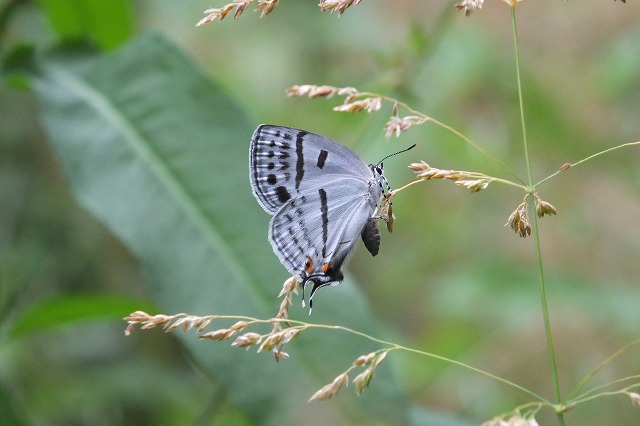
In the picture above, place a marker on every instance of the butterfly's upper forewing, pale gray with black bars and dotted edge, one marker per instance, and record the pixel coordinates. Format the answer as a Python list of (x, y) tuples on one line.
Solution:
[(286, 163)]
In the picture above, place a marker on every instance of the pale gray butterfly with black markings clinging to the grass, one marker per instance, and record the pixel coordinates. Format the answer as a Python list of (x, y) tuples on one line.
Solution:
[(322, 196)]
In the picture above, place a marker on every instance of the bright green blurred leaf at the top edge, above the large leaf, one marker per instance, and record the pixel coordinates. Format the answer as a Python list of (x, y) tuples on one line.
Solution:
[(107, 22)]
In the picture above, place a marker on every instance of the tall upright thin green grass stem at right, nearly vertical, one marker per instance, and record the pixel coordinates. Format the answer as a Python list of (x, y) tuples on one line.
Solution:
[(543, 291)]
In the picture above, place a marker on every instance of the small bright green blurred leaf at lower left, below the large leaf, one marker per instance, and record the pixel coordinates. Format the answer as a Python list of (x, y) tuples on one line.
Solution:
[(70, 310)]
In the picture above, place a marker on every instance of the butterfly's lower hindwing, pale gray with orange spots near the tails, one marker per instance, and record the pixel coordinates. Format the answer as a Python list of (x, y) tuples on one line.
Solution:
[(318, 230)]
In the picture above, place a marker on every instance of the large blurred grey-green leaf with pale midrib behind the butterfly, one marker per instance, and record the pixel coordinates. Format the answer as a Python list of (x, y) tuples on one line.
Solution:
[(158, 153)]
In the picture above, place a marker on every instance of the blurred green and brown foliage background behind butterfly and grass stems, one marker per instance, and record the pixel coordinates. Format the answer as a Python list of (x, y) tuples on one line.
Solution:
[(450, 280)]
